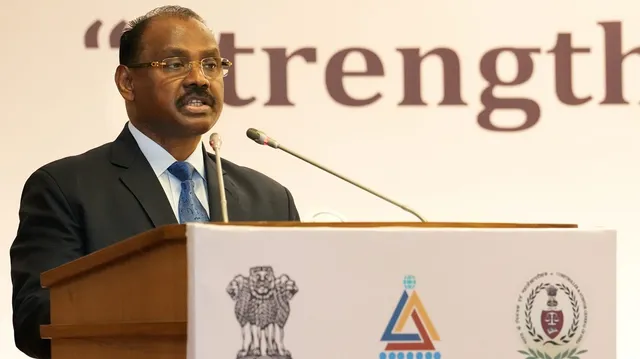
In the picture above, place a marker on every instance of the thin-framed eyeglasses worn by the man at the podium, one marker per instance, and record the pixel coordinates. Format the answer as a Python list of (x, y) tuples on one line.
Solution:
[(211, 67)]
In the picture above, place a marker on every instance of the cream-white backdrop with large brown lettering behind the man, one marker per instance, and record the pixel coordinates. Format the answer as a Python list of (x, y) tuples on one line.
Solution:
[(576, 164)]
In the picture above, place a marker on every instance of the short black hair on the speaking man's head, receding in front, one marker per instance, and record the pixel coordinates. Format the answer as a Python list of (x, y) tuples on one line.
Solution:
[(131, 38)]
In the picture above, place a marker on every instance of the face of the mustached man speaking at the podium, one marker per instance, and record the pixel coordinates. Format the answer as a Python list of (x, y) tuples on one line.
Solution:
[(171, 102)]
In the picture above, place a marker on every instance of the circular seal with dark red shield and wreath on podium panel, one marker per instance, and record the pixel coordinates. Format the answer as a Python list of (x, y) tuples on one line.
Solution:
[(551, 317)]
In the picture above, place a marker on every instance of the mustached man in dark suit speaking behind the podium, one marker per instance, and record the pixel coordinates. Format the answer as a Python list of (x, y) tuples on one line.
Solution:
[(156, 172)]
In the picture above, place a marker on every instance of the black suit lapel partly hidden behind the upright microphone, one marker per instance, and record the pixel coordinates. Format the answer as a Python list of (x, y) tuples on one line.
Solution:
[(233, 206)]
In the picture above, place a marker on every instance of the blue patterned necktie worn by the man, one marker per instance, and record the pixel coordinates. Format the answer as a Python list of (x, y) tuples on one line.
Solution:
[(189, 207)]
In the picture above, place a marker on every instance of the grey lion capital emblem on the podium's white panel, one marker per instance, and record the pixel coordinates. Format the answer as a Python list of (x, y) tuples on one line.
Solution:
[(262, 310)]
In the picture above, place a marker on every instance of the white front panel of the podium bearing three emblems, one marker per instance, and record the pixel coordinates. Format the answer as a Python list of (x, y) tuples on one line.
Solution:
[(401, 293)]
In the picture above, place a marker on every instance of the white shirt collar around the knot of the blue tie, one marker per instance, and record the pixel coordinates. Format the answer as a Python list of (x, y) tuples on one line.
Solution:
[(159, 158)]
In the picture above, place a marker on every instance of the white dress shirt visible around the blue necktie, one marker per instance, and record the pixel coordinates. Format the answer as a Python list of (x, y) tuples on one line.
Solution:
[(160, 160)]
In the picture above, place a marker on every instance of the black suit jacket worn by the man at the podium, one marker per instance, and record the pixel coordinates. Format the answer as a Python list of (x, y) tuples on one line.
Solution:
[(80, 204)]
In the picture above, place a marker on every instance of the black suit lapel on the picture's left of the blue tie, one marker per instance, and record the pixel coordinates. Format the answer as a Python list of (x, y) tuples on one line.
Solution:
[(139, 178)]
